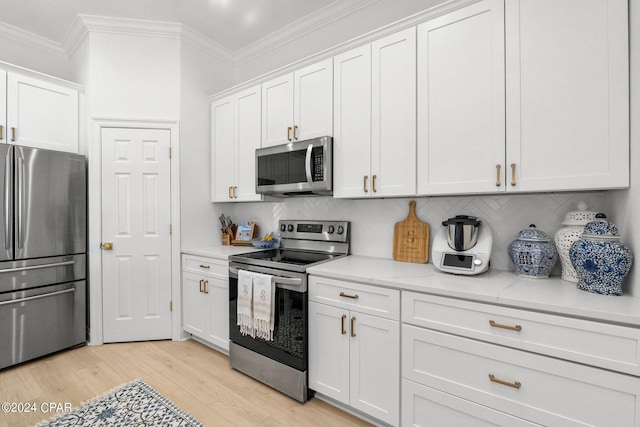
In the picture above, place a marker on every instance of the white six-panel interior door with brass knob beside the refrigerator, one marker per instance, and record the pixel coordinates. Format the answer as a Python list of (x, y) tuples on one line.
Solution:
[(136, 215)]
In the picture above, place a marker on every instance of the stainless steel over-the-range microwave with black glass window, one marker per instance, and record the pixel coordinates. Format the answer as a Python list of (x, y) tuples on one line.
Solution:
[(299, 168)]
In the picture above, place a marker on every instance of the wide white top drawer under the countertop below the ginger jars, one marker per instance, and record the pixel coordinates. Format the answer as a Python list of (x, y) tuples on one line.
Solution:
[(593, 343)]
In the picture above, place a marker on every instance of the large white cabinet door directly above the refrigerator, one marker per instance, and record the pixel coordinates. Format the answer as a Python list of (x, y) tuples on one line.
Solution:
[(42, 114)]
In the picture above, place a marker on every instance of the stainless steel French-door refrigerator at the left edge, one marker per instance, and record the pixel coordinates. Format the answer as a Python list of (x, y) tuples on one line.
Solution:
[(43, 222)]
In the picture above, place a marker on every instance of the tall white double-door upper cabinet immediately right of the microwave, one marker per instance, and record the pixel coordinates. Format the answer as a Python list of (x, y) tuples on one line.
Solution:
[(375, 118)]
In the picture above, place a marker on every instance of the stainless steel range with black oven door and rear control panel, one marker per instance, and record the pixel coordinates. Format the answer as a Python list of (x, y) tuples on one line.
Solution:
[(282, 362)]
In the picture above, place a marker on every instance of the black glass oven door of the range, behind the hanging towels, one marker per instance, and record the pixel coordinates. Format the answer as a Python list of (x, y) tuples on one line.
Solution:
[(290, 342)]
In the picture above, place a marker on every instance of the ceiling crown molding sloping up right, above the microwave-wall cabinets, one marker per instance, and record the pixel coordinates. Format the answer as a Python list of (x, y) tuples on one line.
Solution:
[(299, 28)]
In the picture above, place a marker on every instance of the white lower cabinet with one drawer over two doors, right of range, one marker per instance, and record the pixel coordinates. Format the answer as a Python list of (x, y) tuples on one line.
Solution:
[(354, 346)]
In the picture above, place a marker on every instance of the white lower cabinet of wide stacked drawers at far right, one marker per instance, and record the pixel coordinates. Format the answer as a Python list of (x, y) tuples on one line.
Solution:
[(506, 375)]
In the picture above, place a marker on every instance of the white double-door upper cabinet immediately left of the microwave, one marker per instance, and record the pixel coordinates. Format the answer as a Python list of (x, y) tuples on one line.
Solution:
[(235, 134)]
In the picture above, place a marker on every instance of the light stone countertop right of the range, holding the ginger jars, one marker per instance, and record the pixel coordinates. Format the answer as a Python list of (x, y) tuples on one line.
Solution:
[(552, 295)]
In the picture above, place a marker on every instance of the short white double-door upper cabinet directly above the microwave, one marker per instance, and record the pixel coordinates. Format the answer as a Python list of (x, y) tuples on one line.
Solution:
[(299, 105)]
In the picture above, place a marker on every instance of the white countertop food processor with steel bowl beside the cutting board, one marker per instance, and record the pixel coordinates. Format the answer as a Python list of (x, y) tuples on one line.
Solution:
[(462, 246)]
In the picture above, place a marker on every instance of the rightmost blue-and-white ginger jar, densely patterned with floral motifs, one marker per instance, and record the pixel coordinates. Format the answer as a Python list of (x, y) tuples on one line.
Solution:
[(601, 261)]
